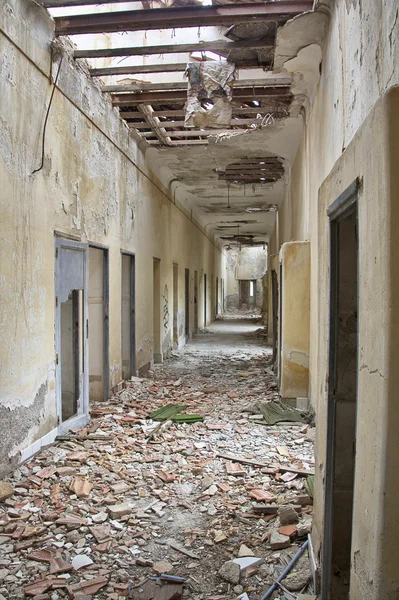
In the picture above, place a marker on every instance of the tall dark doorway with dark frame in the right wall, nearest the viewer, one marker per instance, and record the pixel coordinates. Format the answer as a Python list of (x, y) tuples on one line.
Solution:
[(342, 397)]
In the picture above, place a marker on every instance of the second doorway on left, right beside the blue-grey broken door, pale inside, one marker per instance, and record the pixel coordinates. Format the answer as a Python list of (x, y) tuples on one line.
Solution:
[(98, 324)]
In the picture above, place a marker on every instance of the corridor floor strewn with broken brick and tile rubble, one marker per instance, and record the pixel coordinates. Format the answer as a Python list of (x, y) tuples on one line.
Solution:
[(106, 507)]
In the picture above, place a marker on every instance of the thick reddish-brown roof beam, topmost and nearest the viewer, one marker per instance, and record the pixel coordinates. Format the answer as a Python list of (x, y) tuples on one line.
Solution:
[(175, 18)]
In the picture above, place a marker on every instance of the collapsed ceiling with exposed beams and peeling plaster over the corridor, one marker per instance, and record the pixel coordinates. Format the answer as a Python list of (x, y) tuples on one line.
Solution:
[(223, 176)]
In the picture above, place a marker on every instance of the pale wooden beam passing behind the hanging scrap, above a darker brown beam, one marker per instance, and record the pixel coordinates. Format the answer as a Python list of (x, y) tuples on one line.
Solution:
[(279, 79)]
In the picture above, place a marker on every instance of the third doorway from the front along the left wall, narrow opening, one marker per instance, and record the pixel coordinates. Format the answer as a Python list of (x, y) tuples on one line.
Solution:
[(128, 316)]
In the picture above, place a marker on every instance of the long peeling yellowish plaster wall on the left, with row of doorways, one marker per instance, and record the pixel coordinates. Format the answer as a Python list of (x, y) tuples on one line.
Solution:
[(95, 186)]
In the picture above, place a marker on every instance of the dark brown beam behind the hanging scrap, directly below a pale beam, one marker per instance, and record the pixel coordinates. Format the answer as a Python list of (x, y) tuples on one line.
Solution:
[(165, 97)]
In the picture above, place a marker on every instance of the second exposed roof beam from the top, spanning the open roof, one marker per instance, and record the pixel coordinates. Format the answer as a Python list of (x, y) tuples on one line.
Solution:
[(212, 46)]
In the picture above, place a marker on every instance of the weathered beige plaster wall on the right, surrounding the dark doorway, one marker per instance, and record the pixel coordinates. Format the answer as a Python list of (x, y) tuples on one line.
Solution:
[(351, 133)]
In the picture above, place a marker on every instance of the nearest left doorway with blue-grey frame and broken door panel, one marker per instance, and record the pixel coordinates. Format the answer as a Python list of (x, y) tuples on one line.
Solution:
[(71, 333)]
